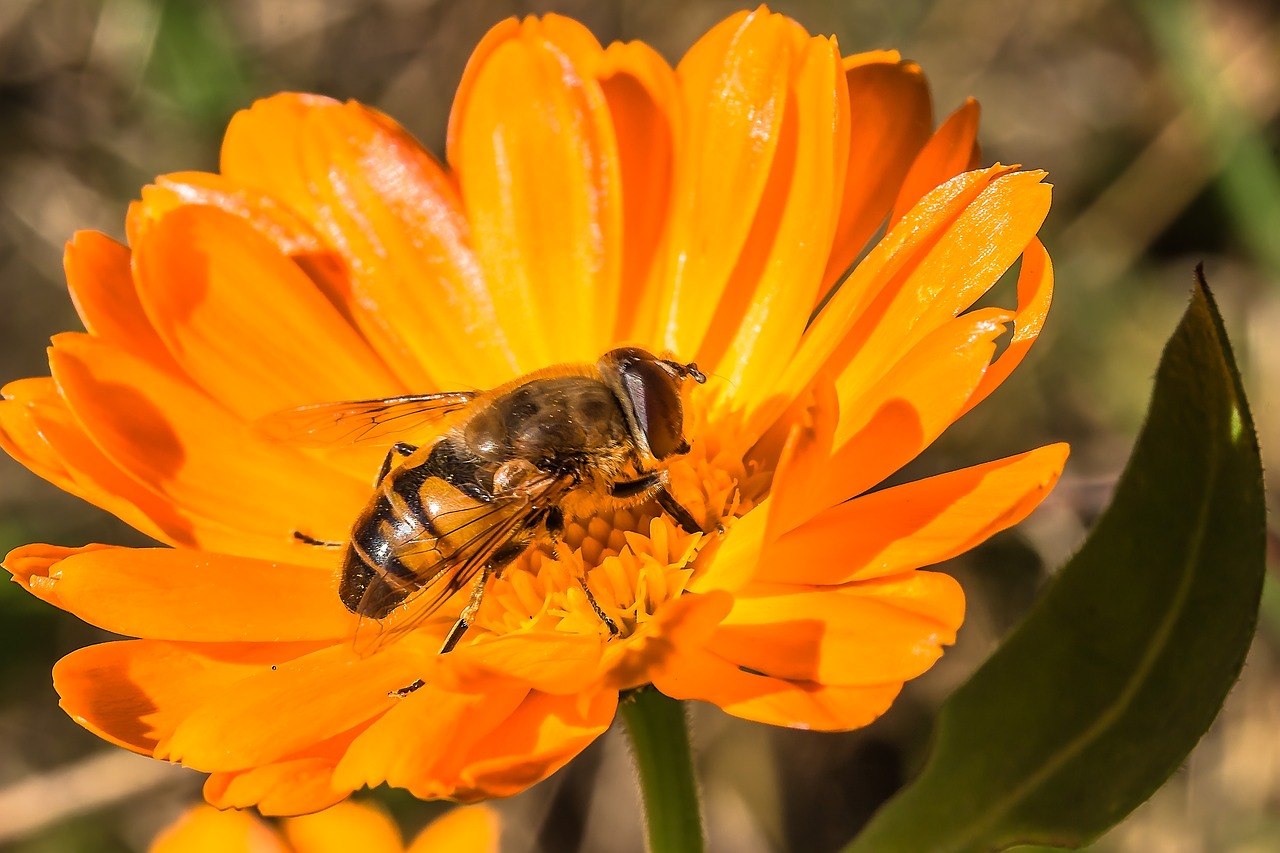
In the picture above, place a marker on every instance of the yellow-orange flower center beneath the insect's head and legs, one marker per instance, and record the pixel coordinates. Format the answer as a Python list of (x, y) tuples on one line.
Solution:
[(625, 564)]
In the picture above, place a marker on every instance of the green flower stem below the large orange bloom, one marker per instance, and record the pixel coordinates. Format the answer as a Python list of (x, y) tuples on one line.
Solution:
[(665, 768)]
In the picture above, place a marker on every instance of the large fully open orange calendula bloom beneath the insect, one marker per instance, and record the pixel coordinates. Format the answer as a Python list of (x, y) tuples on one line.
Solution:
[(592, 198)]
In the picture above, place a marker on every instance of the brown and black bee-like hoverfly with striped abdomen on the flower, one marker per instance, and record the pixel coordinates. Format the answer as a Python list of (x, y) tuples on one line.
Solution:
[(504, 469)]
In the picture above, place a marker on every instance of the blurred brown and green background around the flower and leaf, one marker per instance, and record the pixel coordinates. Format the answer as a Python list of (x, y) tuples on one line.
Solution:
[(1158, 122)]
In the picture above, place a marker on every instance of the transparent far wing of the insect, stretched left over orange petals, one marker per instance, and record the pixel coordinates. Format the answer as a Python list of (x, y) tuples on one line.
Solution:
[(362, 422)]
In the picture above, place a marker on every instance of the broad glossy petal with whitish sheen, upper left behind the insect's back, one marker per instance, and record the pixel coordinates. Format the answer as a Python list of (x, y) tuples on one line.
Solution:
[(392, 215)]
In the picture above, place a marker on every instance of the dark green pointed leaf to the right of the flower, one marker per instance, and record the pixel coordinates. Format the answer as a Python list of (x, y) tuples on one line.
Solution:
[(1103, 691)]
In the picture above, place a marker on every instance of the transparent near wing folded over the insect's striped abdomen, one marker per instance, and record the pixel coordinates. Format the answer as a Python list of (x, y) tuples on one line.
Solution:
[(488, 531)]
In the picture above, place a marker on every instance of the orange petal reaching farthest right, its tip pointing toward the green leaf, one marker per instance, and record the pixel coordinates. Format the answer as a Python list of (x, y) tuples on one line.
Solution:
[(917, 524)]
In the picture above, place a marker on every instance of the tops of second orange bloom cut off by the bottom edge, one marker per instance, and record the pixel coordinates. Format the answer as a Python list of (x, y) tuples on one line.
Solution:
[(346, 827)]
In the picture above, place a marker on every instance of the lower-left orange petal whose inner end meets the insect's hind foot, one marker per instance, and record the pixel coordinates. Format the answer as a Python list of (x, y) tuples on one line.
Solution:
[(245, 728)]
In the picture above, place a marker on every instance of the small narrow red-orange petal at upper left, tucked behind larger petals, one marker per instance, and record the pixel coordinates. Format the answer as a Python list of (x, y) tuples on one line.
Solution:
[(102, 288)]
